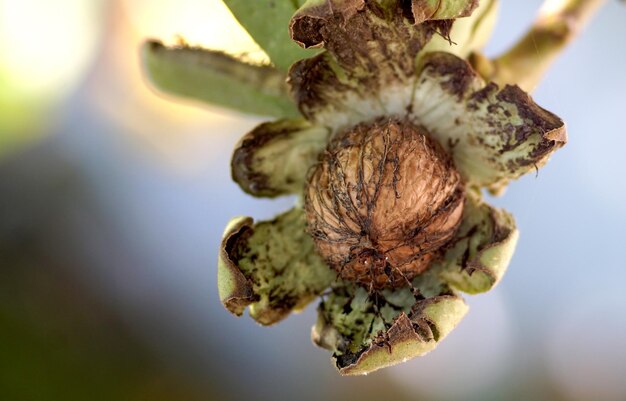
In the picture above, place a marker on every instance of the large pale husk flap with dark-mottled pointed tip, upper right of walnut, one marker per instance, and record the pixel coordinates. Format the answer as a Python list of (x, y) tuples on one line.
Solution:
[(494, 135)]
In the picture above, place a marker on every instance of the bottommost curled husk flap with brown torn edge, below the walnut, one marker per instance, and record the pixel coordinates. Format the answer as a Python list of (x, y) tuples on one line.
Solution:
[(367, 333)]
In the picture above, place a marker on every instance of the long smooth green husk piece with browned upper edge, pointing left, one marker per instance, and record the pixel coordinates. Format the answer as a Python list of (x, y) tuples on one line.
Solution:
[(217, 78)]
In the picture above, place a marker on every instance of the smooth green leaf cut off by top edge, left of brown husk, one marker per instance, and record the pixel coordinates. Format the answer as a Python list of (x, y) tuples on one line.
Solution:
[(267, 21)]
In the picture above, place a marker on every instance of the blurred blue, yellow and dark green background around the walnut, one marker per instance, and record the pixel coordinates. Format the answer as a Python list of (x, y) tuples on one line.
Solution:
[(113, 200)]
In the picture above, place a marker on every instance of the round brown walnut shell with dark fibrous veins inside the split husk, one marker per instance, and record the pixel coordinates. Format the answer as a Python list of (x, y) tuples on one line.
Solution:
[(382, 202)]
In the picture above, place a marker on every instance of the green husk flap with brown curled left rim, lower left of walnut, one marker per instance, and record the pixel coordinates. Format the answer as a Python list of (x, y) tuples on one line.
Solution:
[(270, 266)]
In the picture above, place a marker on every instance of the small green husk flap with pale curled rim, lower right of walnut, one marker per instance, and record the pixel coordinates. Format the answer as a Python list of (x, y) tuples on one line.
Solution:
[(482, 249)]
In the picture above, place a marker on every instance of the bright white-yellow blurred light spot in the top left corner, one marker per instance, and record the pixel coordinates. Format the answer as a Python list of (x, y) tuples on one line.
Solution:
[(45, 45)]
